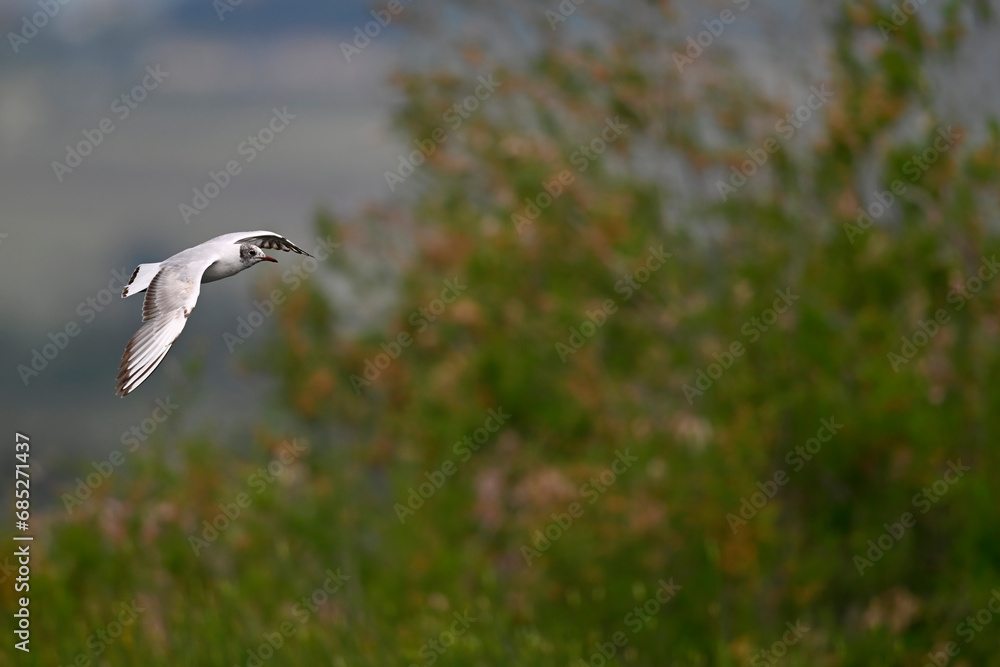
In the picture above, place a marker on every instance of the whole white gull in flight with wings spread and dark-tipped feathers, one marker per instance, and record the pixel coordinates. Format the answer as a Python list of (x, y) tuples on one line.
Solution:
[(172, 287)]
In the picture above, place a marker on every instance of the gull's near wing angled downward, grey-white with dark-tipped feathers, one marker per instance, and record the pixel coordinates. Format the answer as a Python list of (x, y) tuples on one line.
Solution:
[(169, 300)]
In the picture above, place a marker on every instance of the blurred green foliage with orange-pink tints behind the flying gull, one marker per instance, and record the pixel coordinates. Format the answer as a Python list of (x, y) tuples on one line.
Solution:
[(531, 282)]
